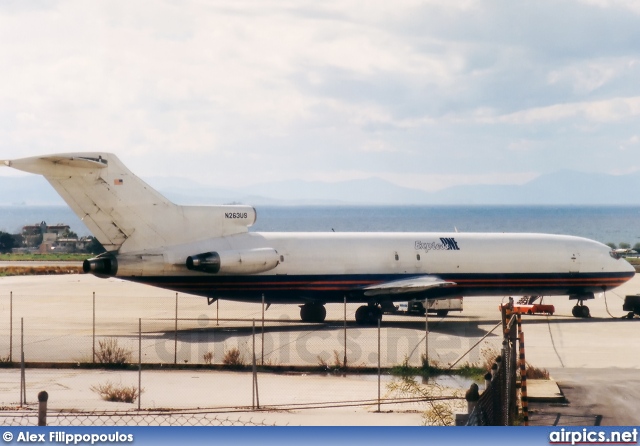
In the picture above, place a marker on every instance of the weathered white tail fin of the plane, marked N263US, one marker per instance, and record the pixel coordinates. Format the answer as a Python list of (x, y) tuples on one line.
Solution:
[(123, 212)]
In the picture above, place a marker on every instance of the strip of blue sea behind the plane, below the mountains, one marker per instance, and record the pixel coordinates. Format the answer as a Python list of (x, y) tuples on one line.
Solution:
[(607, 224)]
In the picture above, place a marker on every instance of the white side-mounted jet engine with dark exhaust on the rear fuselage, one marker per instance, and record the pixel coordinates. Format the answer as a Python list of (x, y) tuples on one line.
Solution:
[(250, 261)]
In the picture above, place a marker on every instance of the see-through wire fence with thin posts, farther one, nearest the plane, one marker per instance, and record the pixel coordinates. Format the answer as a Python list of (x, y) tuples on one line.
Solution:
[(34, 325)]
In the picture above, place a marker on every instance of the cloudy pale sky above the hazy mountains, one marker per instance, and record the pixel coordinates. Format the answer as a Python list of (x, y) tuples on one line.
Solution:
[(426, 94)]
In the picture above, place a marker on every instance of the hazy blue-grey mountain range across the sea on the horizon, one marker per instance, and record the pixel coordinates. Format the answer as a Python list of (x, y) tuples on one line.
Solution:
[(564, 187)]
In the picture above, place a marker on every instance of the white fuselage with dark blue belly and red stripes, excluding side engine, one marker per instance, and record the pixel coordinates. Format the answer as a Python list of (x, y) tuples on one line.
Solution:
[(326, 267)]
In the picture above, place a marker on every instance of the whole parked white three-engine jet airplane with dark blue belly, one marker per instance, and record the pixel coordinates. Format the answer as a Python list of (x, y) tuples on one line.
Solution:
[(209, 251)]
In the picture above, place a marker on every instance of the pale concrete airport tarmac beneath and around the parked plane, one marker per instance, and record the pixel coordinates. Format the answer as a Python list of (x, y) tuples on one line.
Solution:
[(58, 313)]
